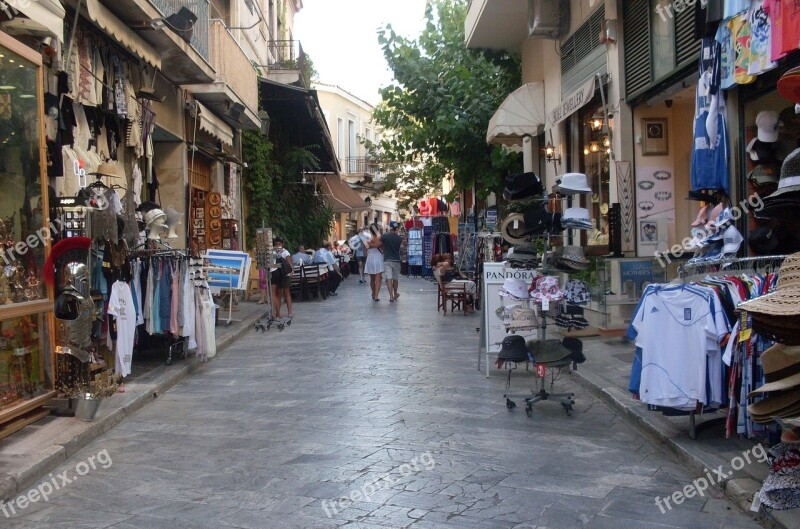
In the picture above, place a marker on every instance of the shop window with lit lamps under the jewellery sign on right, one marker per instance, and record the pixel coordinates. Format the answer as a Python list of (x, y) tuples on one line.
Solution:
[(594, 158)]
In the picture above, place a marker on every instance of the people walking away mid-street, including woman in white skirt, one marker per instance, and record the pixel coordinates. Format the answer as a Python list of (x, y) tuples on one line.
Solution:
[(378, 255)]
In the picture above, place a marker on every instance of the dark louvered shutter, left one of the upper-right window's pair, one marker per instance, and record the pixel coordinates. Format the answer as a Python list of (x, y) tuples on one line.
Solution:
[(636, 24)]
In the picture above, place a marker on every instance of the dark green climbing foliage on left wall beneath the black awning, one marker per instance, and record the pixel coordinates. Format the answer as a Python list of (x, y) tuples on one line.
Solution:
[(275, 197)]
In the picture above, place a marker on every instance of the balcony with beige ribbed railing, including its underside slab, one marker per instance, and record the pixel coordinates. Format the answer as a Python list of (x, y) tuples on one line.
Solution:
[(233, 94)]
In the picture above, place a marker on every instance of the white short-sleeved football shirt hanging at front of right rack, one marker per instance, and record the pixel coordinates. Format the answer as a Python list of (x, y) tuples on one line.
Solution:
[(675, 330)]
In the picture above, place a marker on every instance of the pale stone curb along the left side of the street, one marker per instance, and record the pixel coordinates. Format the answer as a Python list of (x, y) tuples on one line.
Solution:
[(20, 482)]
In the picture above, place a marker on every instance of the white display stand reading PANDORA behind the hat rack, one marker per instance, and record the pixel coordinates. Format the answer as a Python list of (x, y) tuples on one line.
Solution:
[(493, 331)]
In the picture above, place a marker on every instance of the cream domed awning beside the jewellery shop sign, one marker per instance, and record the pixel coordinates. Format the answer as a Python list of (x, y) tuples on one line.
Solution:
[(520, 114)]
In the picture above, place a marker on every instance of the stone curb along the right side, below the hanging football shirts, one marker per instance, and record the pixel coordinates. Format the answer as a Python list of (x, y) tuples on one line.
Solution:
[(739, 490)]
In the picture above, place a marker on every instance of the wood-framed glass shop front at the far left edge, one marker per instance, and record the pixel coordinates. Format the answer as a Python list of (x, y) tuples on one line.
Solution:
[(26, 353)]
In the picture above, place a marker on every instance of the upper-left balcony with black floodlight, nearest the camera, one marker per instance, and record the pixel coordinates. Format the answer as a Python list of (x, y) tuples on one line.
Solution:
[(183, 46)]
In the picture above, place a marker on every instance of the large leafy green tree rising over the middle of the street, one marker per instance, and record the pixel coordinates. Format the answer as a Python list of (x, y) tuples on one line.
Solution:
[(439, 107)]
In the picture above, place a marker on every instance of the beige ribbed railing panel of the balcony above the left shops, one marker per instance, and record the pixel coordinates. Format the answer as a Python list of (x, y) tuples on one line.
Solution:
[(232, 65)]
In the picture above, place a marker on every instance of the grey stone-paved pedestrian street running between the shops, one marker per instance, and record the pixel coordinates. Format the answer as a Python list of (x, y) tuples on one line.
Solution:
[(377, 402)]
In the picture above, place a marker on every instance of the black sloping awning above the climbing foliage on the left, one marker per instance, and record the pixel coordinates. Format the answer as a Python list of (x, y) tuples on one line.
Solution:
[(297, 119)]
